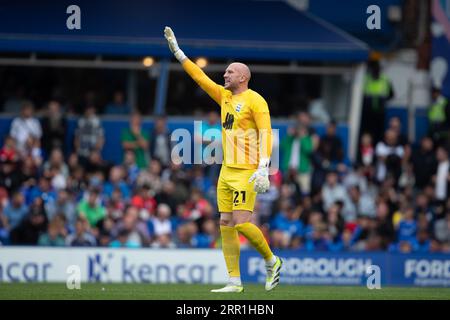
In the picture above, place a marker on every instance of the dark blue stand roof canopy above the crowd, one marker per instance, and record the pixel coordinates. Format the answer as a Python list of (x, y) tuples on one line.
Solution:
[(269, 30)]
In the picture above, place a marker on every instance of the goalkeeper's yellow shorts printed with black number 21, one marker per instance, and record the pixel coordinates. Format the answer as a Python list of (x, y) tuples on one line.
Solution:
[(234, 192)]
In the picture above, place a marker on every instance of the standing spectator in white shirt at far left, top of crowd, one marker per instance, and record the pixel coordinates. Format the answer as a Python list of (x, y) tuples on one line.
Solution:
[(25, 127)]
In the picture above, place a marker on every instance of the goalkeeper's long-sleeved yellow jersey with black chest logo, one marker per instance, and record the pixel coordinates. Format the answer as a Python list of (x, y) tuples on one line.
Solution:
[(246, 128)]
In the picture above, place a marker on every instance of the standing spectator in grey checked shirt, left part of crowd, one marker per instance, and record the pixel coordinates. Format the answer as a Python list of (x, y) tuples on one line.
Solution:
[(89, 135)]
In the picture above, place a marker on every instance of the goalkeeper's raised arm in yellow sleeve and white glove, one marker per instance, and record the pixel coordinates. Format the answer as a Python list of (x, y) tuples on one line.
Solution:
[(196, 73)]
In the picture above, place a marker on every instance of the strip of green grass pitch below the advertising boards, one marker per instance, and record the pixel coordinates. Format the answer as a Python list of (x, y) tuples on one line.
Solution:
[(90, 291)]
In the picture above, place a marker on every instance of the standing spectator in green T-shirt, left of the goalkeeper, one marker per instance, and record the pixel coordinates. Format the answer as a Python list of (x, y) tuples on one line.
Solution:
[(136, 139)]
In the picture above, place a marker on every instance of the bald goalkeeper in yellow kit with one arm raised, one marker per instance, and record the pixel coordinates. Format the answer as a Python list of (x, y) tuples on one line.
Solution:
[(247, 146)]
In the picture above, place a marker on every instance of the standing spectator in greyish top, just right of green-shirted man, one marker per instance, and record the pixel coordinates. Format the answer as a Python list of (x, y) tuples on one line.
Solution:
[(160, 144)]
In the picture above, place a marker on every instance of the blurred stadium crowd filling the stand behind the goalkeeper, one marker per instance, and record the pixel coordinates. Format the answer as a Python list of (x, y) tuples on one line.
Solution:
[(394, 197)]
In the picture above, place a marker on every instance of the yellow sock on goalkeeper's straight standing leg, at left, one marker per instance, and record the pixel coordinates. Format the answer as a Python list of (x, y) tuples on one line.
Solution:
[(231, 250)]
